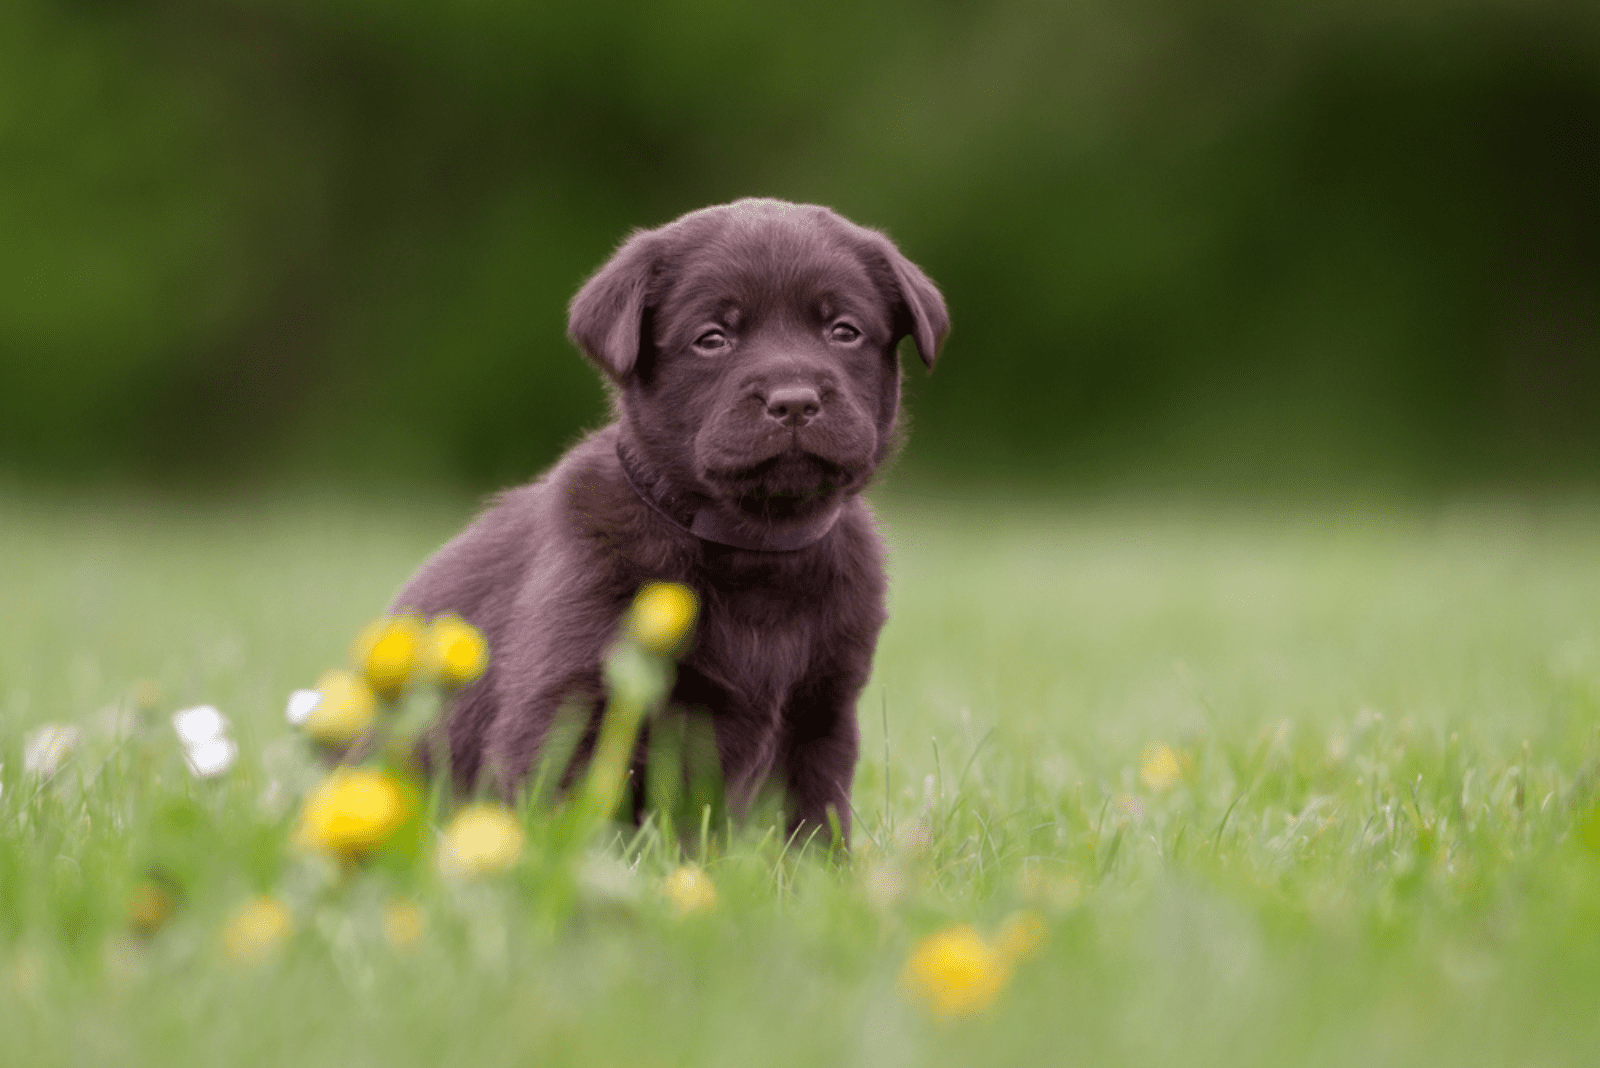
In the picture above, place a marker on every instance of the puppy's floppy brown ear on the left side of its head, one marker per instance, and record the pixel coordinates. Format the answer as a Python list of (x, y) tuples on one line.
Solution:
[(604, 321)]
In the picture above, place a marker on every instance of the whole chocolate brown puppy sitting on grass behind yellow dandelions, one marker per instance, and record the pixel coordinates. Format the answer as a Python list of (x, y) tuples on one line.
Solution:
[(751, 353)]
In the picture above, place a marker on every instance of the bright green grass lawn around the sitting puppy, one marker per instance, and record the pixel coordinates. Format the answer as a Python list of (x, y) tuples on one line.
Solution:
[(1378, 851)]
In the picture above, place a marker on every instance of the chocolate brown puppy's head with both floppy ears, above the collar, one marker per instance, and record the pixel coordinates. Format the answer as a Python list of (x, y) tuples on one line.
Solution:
[(753, 351)]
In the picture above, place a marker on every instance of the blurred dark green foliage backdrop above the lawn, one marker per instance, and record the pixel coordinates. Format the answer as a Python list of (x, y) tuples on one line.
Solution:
[(1185, 242)]
